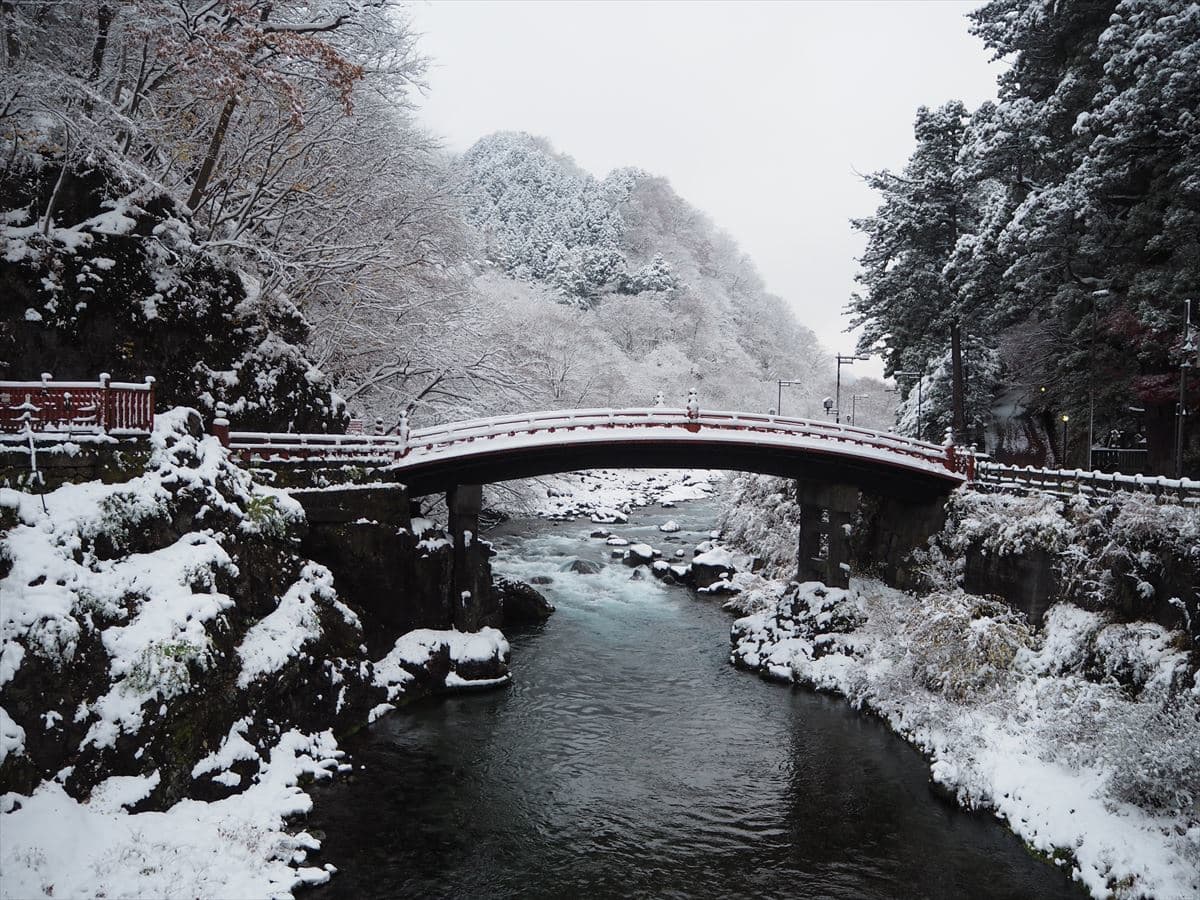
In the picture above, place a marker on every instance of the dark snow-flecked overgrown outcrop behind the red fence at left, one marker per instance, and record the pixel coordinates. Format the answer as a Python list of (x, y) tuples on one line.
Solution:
[(125, 261)]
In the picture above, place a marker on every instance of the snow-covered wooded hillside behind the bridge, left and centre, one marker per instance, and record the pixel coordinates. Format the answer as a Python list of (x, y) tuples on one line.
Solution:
[(235, 199)]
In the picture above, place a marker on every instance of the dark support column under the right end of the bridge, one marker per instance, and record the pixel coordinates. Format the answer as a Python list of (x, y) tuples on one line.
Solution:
[(826, 512)]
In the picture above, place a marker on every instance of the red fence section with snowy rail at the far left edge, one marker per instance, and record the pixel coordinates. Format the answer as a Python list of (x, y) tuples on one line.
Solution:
[(77, 407)]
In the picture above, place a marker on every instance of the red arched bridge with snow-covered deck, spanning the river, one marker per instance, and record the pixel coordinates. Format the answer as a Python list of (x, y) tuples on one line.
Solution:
[(502, 448)]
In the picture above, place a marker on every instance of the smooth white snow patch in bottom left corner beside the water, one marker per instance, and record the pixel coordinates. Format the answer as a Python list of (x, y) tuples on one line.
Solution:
[(56, 847)]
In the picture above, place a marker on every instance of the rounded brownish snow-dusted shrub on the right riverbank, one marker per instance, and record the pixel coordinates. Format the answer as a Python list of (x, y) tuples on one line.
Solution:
[(964, 645)]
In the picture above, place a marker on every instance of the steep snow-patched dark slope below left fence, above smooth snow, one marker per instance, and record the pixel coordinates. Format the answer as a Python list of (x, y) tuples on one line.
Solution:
[(129, 610)]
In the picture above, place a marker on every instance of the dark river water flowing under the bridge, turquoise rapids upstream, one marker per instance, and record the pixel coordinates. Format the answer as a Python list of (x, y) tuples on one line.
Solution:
[(631, 759)]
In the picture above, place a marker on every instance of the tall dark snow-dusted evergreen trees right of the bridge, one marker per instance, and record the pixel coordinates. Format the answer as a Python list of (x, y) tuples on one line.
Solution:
[(1059, 229)]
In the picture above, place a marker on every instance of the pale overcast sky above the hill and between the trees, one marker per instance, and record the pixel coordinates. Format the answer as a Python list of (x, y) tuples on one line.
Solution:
[(760, 115)]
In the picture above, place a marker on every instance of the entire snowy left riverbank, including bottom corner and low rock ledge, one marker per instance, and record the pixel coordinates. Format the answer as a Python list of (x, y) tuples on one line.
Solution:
[(129, 633)]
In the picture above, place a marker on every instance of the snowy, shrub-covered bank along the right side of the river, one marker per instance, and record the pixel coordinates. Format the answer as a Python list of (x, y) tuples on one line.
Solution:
[(1082, 735)]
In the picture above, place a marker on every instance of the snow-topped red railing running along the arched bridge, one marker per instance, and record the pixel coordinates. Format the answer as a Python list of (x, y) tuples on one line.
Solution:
[(421, 445)]
